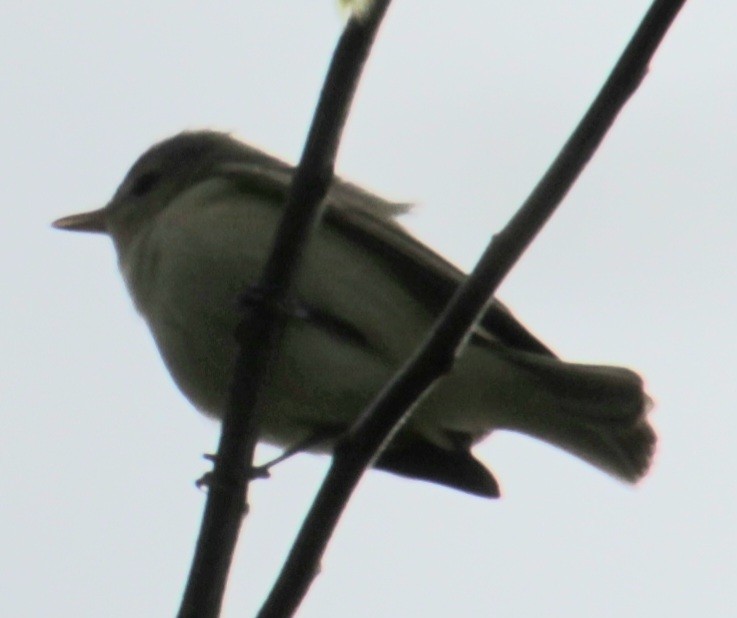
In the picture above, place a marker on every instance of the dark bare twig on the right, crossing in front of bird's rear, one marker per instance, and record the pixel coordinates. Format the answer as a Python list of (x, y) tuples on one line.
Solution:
[(374, 428)]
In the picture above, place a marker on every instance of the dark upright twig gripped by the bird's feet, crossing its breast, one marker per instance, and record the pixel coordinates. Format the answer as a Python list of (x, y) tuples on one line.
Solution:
[(260, 330)]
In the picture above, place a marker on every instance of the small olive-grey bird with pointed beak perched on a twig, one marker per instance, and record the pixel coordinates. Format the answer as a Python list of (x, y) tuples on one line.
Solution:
[(192, 224)]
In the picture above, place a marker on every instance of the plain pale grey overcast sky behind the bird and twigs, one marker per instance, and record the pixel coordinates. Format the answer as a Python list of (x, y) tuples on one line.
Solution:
[(462, 106)]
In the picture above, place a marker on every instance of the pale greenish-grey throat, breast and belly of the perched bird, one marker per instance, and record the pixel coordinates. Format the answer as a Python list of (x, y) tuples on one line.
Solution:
[(197, 269)]
